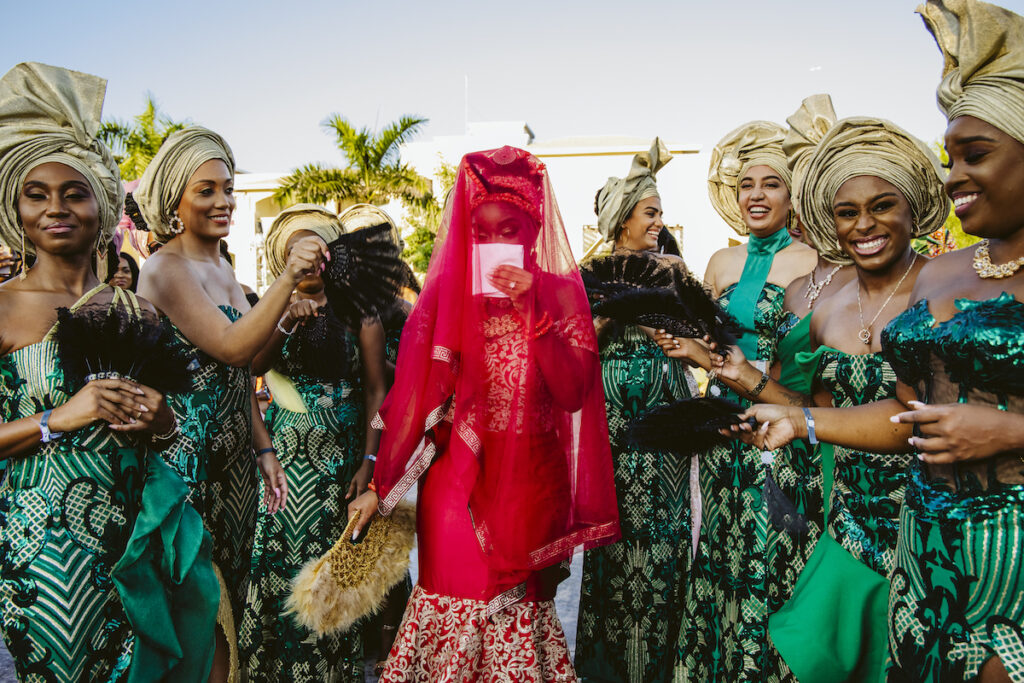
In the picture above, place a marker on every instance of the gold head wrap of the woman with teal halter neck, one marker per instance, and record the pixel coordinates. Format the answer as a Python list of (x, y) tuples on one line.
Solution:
[(754, 144)]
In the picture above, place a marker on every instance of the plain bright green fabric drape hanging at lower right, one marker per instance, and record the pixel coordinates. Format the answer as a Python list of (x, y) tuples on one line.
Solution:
[(835, 627)]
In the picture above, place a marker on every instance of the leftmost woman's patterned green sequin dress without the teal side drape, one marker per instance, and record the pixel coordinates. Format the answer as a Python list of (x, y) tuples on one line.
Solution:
[(67, 513)]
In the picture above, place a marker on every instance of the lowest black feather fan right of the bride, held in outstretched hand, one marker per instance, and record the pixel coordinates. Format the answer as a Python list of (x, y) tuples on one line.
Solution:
[(686, 426)]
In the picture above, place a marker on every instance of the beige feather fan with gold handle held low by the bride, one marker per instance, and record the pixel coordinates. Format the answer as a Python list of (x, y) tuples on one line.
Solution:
[(352, 580)]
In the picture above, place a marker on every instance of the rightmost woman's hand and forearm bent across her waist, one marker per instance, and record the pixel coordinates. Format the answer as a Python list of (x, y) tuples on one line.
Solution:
[(954, 433)]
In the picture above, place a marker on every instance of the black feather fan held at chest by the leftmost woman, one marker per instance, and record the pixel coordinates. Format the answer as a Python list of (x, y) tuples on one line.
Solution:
[(109, 341)]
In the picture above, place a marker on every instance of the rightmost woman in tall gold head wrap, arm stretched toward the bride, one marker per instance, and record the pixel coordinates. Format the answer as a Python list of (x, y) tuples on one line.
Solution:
[(955, 611)]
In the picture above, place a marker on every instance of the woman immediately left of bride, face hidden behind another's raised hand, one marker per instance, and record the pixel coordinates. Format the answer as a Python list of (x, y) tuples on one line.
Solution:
[(328, 381)]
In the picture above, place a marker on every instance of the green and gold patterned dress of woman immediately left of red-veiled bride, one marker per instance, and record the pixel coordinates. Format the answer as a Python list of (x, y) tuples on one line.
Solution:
[(321, 451)]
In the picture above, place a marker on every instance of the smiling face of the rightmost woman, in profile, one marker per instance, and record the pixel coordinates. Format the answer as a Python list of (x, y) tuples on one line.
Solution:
[(987, 178)]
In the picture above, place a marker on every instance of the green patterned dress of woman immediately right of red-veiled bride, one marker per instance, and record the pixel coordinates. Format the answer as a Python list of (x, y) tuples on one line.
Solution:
[(631, 602)]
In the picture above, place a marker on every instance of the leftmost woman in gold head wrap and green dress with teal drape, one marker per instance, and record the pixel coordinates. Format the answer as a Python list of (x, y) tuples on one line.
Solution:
[(82, 592)]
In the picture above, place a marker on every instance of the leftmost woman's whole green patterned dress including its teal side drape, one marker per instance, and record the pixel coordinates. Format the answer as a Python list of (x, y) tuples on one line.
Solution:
[(87, 525)]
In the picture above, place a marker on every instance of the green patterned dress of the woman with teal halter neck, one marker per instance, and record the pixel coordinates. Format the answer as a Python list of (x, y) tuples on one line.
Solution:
[(726, 630)]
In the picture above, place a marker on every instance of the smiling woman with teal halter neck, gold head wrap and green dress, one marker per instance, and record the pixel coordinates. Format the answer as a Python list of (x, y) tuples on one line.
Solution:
[(730, 584)]
